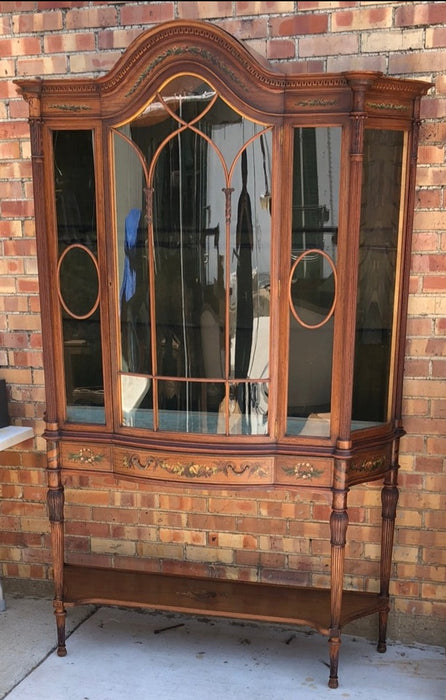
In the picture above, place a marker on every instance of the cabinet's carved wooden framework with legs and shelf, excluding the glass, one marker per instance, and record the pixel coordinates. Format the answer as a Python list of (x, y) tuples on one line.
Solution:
[(335, 461)]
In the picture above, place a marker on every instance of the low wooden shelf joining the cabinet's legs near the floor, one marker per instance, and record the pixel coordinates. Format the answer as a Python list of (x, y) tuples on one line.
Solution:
[(214, 597)]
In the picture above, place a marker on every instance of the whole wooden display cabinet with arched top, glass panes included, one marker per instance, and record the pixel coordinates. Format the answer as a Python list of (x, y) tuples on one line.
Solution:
[(223, 259)]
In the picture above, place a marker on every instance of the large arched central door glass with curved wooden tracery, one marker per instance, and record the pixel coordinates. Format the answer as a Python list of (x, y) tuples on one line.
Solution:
[(194, 266)]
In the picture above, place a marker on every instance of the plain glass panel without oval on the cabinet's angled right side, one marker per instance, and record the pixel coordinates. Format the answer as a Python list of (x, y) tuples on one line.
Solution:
[(378, 251)]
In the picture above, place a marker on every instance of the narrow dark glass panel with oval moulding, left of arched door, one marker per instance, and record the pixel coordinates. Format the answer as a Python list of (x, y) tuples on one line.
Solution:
[(78, 280)]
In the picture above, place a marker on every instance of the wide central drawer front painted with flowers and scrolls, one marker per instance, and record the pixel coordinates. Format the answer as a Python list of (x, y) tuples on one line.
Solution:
[(193, 468)]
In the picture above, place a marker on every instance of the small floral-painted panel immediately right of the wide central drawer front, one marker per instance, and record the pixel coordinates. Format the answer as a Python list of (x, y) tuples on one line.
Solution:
[(304, 471)]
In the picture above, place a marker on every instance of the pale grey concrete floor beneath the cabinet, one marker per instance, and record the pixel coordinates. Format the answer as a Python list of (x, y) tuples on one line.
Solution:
[(115, 654)]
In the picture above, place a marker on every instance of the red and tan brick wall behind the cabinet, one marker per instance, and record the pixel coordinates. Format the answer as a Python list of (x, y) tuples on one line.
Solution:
[(112, 520)]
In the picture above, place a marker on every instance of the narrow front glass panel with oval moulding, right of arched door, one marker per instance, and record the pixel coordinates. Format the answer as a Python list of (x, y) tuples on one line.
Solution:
[(312, 280)]
